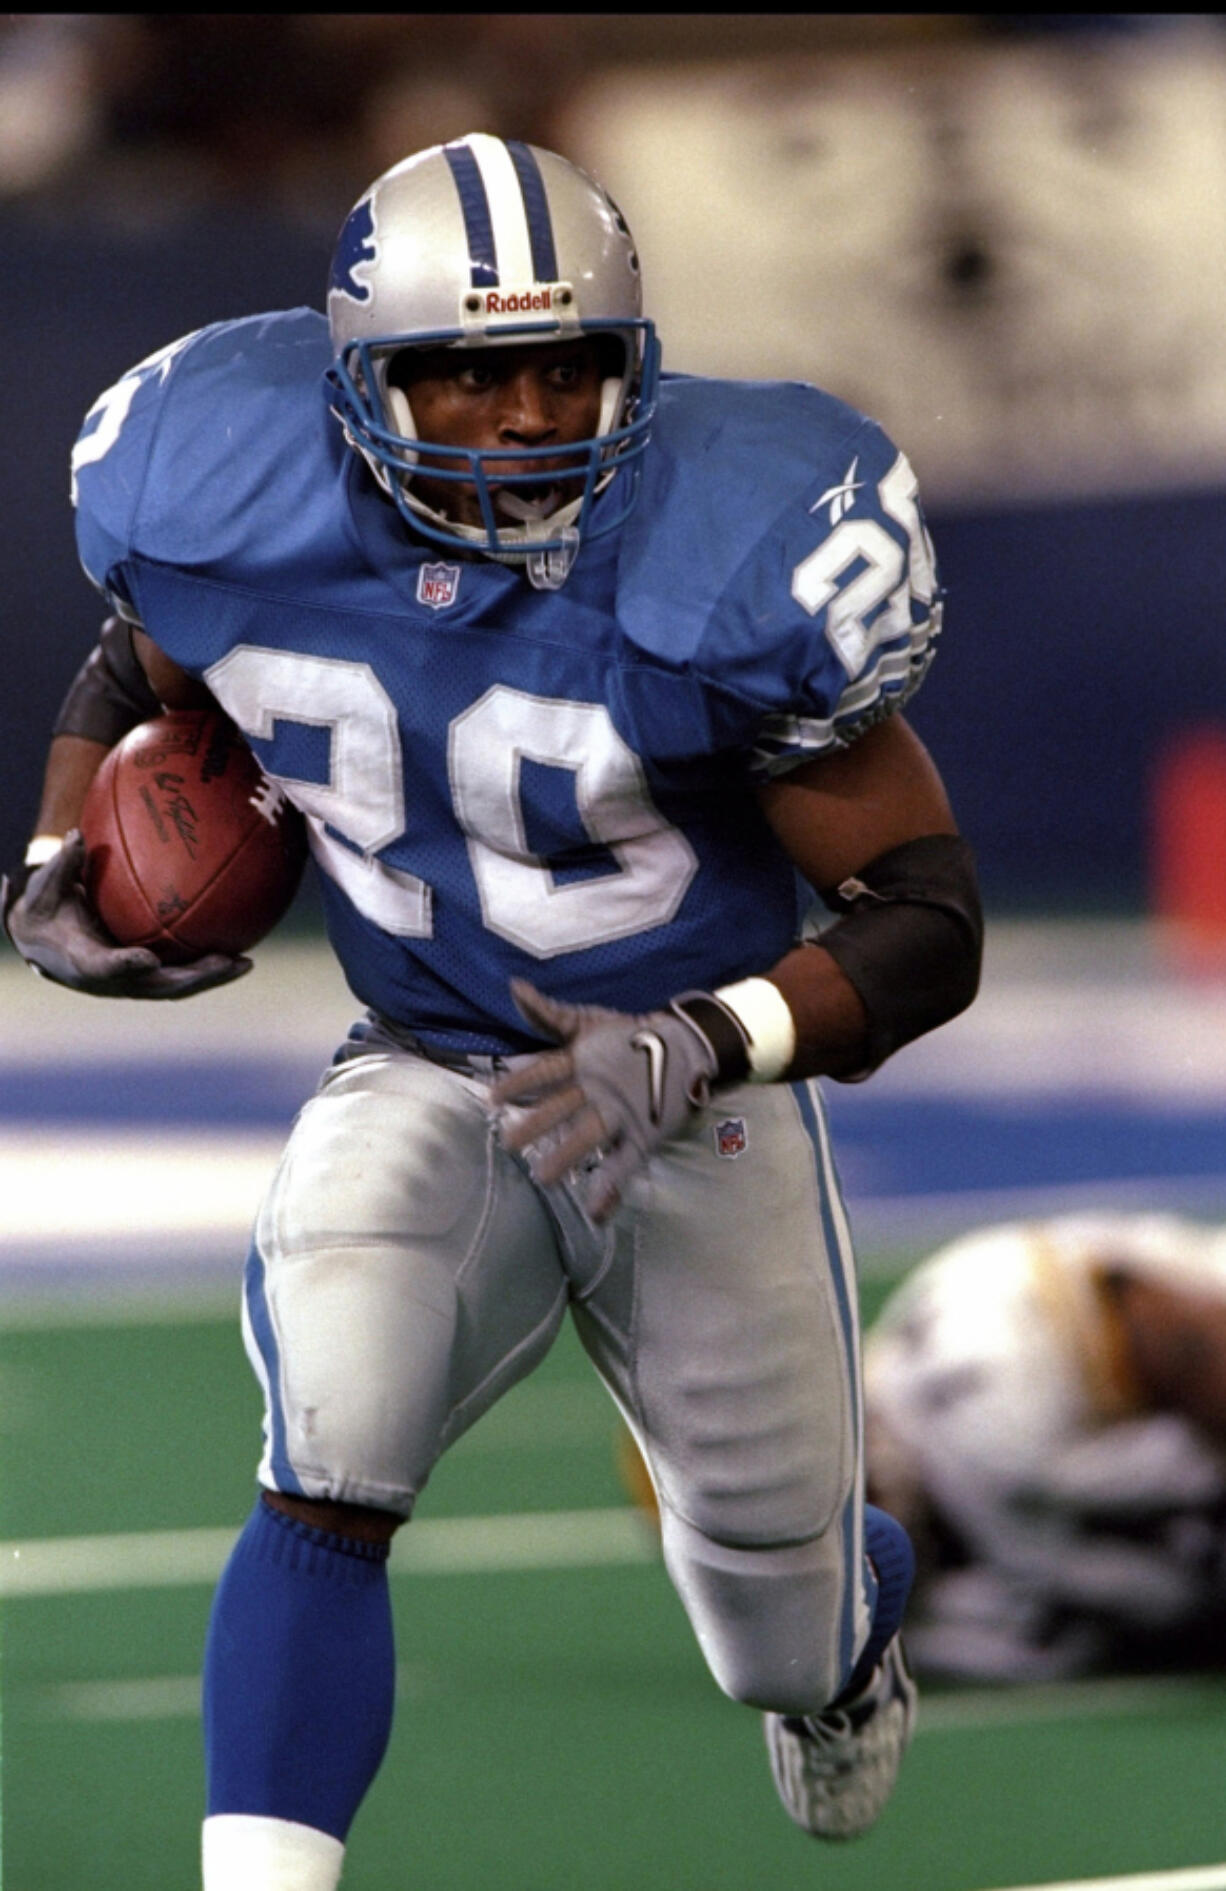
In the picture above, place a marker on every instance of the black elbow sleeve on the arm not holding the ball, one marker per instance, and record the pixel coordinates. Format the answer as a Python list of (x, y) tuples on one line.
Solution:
[(911, 941)]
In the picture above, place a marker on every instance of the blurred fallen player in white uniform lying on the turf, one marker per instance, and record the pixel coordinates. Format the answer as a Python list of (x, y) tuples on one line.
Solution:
[(1047, 1412)]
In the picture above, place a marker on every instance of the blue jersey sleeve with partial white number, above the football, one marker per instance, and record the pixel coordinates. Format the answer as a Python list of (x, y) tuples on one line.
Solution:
[(109, 474)]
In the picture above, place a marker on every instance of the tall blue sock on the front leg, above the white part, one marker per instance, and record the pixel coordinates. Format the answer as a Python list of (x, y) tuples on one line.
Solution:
[(300, 1674)]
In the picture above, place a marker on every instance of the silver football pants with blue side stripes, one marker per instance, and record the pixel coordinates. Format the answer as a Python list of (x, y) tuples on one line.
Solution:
[(408, 1272)]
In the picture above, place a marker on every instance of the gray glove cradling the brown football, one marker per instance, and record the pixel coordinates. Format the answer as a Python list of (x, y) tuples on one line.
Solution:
[(56, 931)]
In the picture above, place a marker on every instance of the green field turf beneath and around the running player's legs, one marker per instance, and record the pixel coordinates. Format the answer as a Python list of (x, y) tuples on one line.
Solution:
[(557, 1729)]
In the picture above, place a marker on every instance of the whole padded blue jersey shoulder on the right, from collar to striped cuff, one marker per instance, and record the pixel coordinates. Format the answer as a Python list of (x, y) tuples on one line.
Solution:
[(779, 549)]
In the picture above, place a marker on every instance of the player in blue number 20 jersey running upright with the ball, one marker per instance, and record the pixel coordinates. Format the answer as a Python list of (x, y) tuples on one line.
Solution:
[(576, 672)]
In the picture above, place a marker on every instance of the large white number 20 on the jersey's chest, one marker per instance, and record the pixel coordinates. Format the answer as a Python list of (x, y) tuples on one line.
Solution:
[(364, 799)]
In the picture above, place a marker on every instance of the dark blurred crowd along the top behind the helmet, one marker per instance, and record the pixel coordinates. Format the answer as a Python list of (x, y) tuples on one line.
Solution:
[(300, 111)]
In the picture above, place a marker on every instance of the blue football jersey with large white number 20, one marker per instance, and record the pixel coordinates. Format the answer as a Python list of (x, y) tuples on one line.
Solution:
[(502, 780)]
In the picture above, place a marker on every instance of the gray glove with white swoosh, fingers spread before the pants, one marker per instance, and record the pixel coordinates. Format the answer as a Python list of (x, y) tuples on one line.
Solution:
[(620, 1083)]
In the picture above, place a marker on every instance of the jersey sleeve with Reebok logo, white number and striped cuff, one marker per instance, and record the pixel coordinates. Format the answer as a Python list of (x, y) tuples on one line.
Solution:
[(858, 606)]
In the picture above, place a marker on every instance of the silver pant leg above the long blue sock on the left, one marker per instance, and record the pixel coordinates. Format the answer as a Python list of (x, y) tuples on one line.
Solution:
[(404, 1275)]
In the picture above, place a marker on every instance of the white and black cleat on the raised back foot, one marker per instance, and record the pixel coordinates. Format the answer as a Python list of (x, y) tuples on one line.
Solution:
[(835, 1771)]
